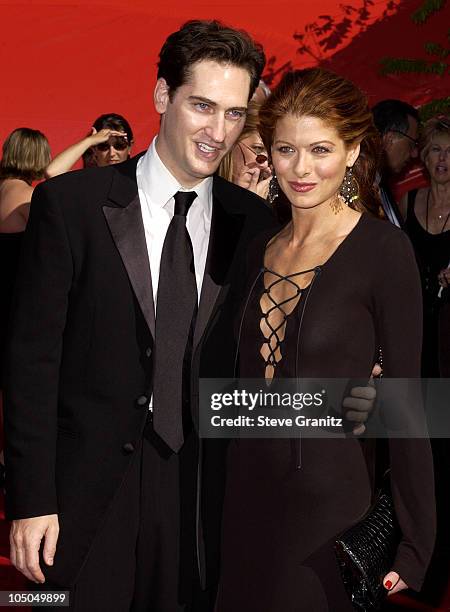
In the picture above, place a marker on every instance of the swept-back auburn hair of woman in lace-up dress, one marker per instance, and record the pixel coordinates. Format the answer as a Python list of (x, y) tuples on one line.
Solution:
[(320, 93)]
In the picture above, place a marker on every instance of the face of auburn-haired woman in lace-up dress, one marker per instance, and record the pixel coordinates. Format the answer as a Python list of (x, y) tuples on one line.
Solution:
[(309, 160)]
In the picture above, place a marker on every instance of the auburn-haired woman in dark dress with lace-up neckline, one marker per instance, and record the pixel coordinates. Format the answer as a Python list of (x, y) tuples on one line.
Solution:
[(324, 294)]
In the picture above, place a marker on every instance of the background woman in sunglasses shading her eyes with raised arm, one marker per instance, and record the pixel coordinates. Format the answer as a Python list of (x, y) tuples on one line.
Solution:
[(109, 142)]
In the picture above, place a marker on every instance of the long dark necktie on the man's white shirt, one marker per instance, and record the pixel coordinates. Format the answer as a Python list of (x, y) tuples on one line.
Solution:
[(176, 308)]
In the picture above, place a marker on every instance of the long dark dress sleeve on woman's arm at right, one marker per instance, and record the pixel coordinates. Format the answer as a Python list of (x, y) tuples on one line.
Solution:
[(399, 318)]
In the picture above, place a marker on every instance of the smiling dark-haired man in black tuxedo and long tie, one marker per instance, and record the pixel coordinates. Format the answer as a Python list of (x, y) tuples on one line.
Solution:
[(125, 272)]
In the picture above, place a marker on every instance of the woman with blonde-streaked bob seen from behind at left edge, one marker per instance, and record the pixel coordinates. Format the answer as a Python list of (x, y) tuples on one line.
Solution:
[(26, 153)]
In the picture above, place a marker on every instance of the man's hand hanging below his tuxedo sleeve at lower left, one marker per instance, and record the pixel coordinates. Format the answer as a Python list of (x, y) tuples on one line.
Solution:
[(25, 540)]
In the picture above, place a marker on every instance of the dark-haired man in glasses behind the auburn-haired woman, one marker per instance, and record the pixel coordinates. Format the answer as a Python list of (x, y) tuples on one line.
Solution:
[(398, 124)]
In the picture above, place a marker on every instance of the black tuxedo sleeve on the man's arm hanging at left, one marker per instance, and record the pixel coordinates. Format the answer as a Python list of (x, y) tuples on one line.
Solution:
[(38, 316)]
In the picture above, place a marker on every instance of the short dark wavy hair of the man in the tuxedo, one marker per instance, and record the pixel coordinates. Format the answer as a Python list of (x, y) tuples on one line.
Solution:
[(202, 40)]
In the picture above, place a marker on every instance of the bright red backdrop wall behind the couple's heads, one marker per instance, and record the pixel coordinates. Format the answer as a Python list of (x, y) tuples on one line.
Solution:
[(65, 62)]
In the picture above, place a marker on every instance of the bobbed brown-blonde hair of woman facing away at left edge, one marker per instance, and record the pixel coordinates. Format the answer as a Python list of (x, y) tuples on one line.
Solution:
[(26, 155)]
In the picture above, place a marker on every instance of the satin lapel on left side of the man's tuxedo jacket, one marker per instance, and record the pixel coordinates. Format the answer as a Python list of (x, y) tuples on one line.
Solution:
[(127, 230)]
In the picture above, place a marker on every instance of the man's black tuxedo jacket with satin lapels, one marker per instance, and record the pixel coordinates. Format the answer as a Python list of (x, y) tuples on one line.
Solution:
[(80, 355)]
